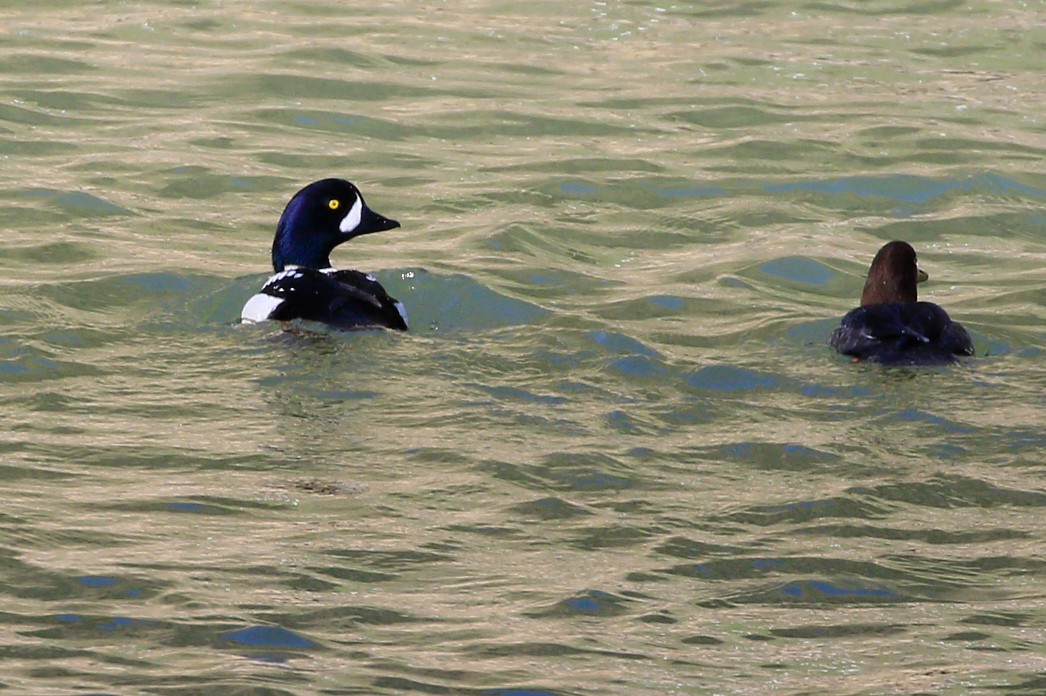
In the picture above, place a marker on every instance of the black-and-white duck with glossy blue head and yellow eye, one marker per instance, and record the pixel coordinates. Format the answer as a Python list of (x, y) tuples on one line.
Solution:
[(316, 220)]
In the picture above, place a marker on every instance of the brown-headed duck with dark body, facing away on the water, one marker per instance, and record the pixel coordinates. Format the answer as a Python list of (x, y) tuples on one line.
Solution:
[(892, 327)]
